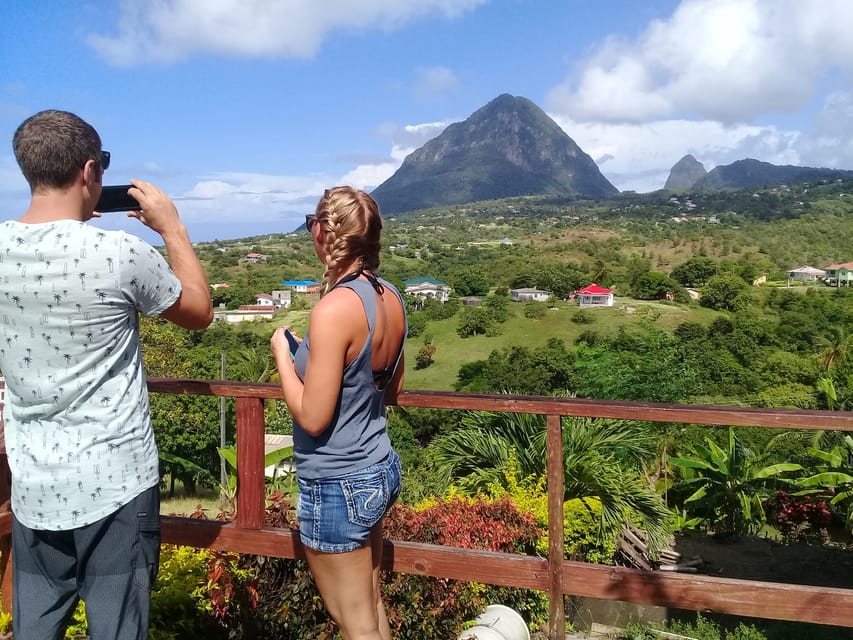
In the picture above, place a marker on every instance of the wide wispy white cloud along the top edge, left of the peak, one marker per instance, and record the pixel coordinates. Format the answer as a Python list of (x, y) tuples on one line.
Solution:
[(170, 30)]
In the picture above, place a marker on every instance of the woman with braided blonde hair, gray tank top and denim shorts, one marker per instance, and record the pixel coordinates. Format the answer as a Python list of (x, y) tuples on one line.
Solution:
[(349, 365)]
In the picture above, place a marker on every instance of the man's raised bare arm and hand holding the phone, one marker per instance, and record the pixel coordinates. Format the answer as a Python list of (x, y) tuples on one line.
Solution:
[(193, 309)]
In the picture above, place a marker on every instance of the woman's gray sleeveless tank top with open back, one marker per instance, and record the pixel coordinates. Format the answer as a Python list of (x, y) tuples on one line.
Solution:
[(356, 437)]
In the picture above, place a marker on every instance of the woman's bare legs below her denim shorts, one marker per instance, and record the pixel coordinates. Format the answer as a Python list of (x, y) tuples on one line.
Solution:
[(349, 584)]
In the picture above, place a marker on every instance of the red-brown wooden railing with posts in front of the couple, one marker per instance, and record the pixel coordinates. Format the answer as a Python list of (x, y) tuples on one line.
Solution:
[(555, 575)]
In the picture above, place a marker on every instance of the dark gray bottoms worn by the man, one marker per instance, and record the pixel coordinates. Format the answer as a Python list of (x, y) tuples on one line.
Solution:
[(111, 564)]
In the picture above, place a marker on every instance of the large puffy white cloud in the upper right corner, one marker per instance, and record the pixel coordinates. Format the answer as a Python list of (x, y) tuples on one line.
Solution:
[(726, 60)]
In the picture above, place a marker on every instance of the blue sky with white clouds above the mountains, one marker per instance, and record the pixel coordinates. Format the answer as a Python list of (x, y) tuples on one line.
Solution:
[(245, 110)]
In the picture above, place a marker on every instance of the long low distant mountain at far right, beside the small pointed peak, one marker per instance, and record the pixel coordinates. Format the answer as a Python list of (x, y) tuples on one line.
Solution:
[(749, 173)]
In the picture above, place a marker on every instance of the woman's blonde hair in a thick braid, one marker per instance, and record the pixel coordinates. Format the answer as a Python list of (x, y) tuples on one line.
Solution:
[(352, 225)]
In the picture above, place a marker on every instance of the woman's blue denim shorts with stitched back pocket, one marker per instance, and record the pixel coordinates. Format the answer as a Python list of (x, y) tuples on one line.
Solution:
[(336, 514)]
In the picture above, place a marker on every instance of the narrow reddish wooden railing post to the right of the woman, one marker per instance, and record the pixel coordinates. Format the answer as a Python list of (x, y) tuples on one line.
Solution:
[(556, 548)]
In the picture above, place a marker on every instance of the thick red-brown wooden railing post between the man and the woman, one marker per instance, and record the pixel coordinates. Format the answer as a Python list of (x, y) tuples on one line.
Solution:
[(250, 463)]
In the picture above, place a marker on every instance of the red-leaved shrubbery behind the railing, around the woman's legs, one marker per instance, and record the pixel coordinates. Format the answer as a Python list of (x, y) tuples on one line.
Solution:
[(262, 597)]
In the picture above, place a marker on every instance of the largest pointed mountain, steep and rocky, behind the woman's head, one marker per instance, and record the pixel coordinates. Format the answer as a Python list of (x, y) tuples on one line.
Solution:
[(509, 147)]
